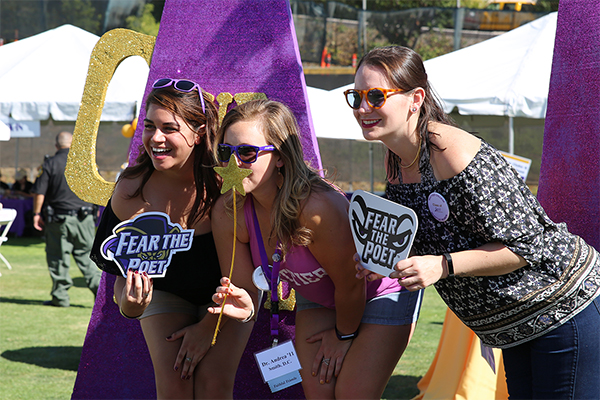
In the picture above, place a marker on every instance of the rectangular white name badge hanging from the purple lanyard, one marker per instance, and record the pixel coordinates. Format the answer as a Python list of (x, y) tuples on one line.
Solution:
[(278, 365)]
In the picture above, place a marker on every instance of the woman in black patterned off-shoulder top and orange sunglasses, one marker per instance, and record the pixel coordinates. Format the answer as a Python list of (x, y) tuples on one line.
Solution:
[(520, 281)]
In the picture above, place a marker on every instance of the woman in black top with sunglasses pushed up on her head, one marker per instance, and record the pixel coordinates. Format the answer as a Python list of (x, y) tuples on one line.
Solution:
[(174, 175)]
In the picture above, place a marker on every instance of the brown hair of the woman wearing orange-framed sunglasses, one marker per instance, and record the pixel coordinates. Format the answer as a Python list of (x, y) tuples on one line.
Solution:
[(404, 69)]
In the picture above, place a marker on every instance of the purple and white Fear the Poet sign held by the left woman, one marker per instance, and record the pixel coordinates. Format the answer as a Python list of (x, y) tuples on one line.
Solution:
[(146, 243)]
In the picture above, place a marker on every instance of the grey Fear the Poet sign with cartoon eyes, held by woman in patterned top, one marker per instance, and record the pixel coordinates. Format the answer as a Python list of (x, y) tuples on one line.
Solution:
[(383, 231)]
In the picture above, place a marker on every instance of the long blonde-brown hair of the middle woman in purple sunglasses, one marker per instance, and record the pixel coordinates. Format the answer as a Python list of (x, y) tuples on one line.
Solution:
[(280, 129)]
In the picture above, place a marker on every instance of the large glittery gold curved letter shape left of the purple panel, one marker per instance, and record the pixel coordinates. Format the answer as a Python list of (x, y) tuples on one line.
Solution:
[(82, 171)]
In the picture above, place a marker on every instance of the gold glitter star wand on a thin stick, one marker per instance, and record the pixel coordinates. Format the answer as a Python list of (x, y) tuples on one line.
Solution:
[(232, 176)]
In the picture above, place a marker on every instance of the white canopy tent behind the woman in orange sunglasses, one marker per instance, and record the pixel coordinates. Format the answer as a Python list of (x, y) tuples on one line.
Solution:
[(507, 75)]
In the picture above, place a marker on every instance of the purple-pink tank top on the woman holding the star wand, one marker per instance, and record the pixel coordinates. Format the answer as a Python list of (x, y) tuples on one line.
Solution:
[(304, 273)]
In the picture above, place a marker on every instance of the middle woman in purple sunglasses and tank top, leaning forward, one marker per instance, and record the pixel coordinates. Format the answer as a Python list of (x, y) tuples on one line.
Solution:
[(350, 334)]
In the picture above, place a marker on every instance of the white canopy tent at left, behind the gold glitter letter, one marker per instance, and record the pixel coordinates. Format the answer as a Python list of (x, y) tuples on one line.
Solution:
[(44, 75)]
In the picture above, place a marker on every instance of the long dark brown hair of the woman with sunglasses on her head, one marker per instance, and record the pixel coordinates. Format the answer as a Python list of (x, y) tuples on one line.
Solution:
[(189, 108)]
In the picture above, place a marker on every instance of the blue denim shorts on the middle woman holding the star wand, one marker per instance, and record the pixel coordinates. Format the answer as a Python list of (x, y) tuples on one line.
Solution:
[(398, 308)]
